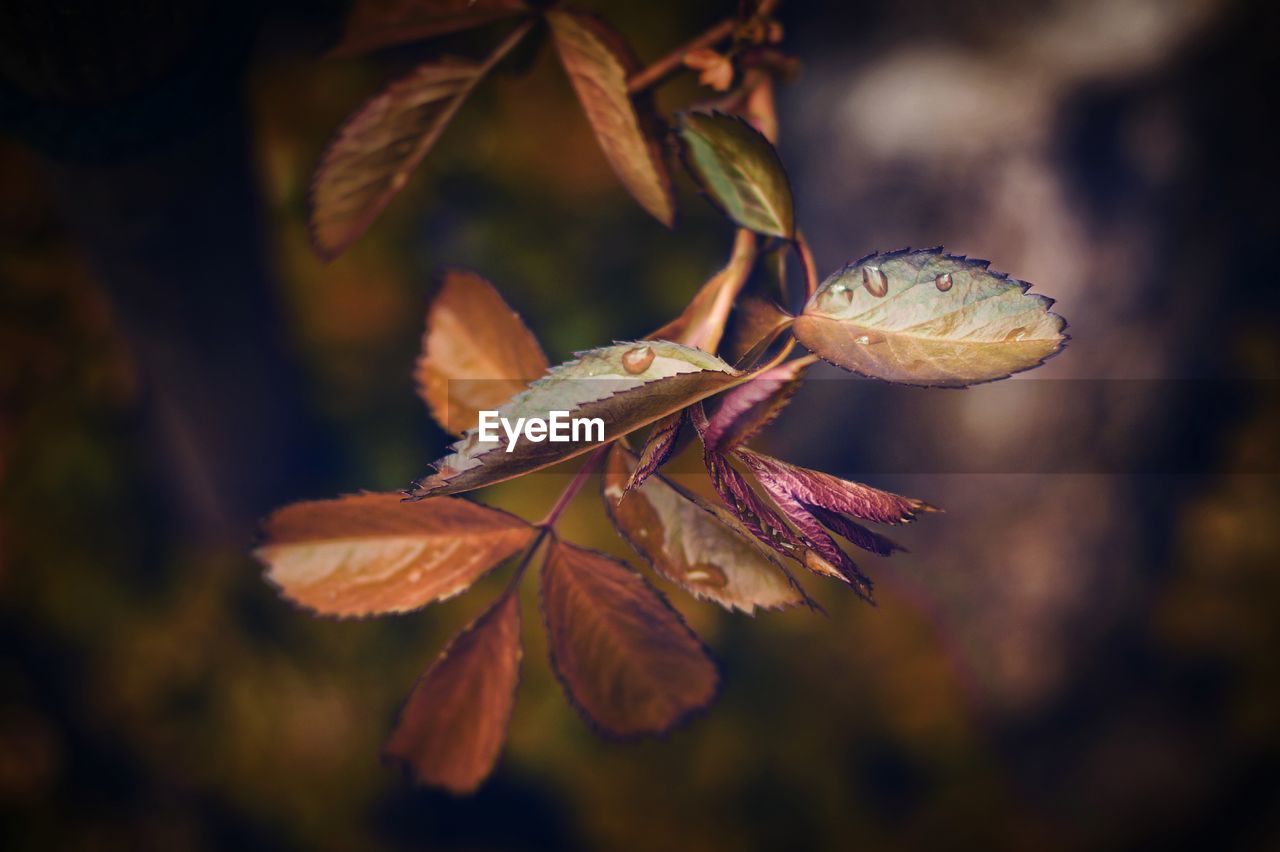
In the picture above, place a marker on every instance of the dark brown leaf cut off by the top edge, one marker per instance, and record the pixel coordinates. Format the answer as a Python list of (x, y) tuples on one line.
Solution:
[(373, 25)]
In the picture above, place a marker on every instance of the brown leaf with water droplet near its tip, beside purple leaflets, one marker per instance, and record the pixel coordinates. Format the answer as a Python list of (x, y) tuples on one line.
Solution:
[(693, 544)]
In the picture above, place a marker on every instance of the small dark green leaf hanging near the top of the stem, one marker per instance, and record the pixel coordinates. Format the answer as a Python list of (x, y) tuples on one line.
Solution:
[(739, 171)]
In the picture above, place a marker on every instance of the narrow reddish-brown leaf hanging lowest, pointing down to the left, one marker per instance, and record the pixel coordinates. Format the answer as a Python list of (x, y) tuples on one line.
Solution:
[(454, 726)]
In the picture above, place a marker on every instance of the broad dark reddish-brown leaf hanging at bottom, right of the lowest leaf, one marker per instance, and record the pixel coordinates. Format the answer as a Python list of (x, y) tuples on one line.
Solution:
[(624, 656)]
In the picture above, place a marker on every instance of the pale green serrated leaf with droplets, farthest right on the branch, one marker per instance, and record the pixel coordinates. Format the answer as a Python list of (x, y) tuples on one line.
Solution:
[(925, 318)]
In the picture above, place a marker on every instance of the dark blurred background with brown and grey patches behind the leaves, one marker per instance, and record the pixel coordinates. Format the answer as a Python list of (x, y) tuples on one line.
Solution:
[(1082, 653)]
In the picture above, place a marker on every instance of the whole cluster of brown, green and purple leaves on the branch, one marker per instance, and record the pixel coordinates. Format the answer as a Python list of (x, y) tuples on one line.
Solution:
[(625, 657)]
